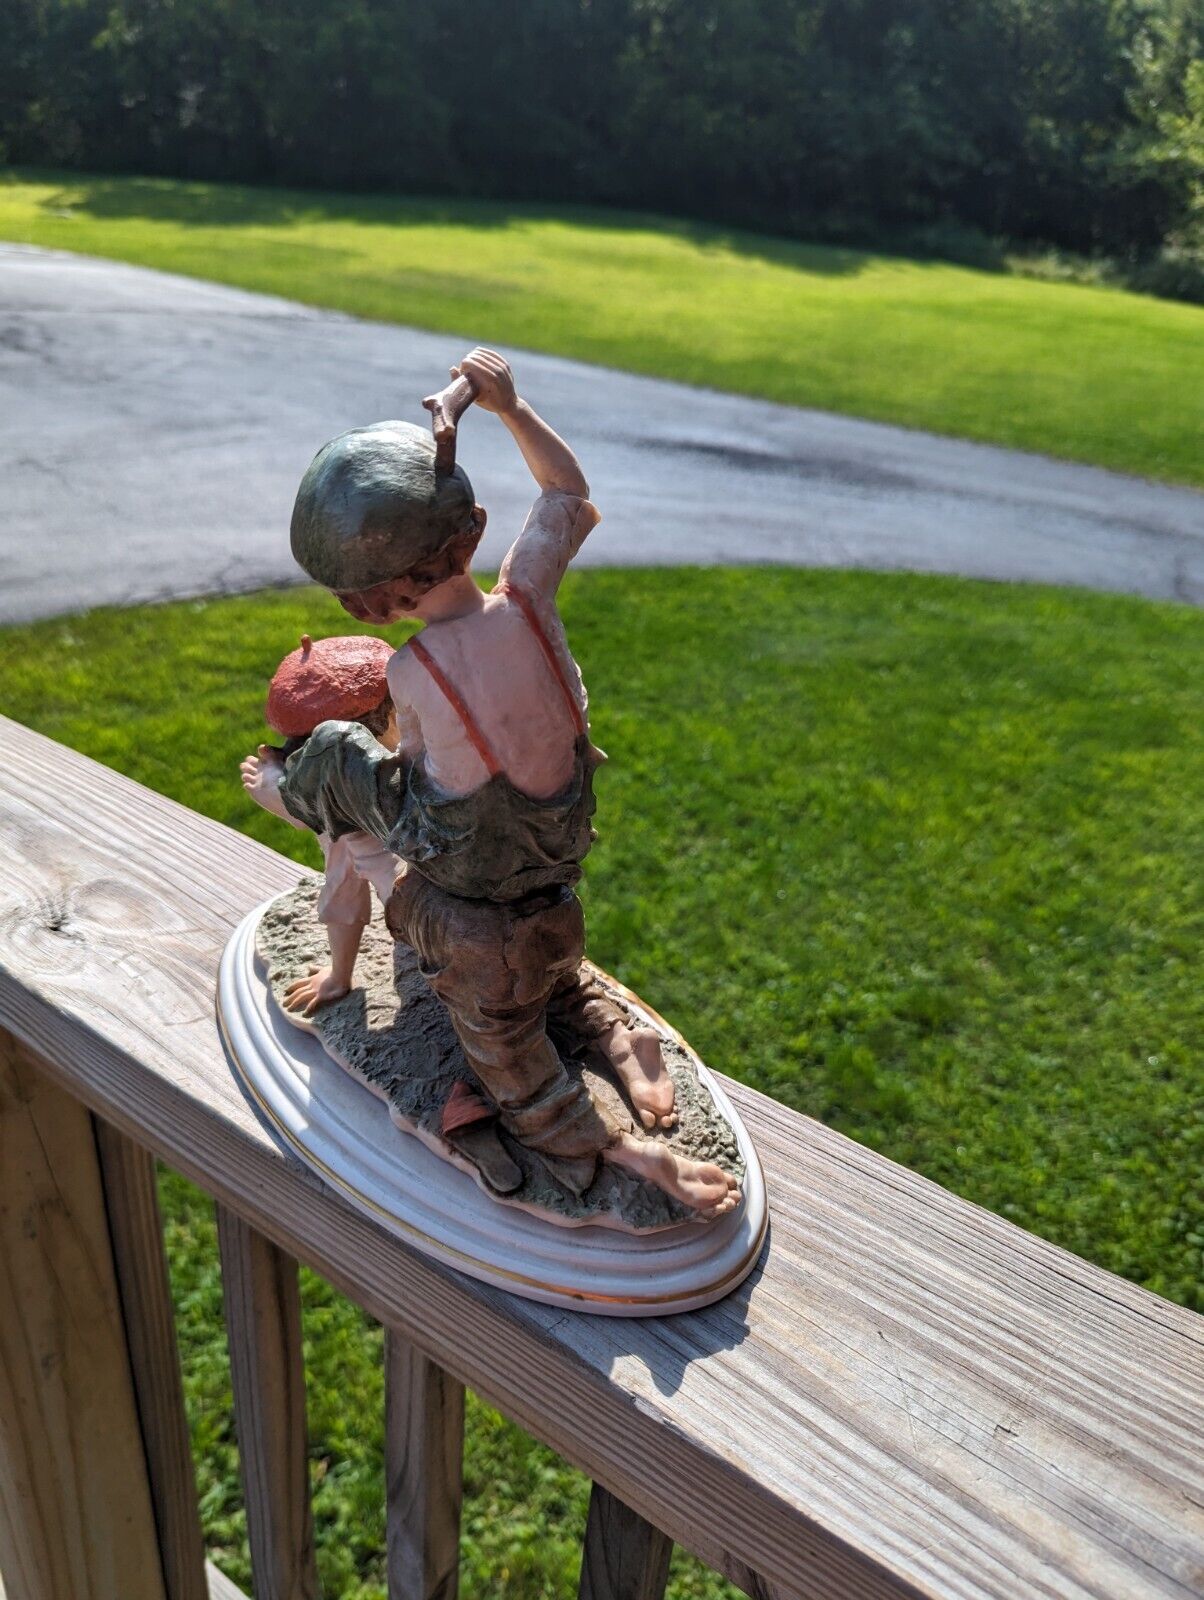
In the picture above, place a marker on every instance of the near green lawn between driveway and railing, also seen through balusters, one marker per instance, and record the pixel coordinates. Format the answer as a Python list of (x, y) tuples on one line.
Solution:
[(918, 857)]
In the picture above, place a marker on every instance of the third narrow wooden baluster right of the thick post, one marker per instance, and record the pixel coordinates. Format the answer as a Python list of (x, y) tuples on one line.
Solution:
[(423, 1465)]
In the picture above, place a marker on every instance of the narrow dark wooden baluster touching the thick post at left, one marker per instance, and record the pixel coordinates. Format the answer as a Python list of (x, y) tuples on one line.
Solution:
[(137, 1231)]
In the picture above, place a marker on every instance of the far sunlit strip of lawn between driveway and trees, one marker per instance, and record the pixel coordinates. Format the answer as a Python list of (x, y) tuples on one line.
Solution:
[(1088, 374)]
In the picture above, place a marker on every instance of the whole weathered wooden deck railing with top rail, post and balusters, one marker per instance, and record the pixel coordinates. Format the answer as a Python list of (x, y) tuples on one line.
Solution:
[(910, 1398)]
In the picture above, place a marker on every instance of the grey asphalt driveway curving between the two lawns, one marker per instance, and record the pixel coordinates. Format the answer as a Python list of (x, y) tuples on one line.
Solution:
[(155, 430)]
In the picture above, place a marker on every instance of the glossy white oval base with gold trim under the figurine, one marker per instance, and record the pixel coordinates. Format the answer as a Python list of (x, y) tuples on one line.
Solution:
[(345, 1134)]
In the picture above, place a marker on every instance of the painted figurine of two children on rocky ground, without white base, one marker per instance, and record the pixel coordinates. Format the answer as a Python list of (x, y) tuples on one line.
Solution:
[(457, 777)]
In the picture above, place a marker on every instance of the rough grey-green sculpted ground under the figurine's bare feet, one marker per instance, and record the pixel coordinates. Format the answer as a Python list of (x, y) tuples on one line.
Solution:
[(398, 1036)]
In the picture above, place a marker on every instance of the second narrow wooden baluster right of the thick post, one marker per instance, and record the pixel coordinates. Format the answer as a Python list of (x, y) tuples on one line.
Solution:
[(263, 1326)]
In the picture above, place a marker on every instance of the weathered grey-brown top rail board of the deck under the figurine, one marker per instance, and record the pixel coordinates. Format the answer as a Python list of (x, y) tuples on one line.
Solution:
[(910, 1398)]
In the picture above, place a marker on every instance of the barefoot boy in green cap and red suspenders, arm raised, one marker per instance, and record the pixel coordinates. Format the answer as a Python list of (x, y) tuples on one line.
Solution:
[(489, 798)]
